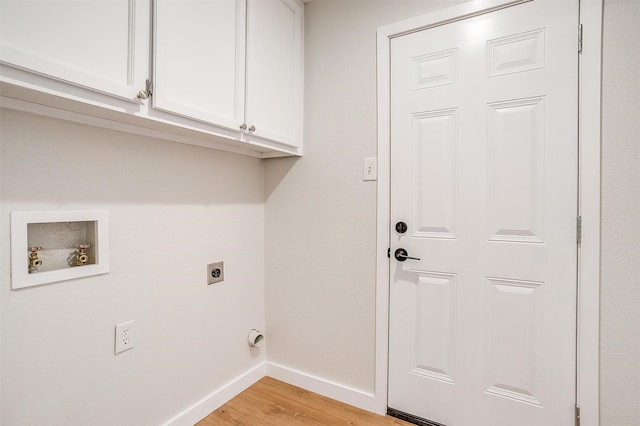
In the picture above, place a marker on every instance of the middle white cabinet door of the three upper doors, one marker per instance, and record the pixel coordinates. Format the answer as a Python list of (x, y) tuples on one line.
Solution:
[(199, 51)]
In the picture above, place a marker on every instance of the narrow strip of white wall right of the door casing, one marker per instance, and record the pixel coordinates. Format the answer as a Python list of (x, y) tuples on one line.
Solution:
[(620, 287)]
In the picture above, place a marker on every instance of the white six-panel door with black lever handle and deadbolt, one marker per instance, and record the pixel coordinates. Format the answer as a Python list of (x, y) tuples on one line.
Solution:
[(484, 155)]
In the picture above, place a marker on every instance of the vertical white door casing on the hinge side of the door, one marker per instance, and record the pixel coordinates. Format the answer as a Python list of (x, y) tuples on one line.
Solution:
[(589, 117)]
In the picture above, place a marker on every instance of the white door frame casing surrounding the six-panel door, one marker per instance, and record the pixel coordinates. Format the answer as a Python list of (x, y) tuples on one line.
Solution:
[(589, 128)]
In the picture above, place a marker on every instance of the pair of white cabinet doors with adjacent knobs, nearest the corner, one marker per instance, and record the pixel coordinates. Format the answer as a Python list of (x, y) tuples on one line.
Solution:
[(232, 63)]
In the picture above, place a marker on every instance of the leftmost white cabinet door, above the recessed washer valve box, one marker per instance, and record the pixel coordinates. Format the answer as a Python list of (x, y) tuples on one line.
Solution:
[(101, 45)]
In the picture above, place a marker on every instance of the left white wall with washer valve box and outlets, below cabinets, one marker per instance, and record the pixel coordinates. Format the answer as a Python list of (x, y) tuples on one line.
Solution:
[(172, 209)]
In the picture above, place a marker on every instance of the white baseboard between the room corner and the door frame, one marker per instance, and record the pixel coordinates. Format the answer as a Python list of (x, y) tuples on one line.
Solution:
[(342, 393)]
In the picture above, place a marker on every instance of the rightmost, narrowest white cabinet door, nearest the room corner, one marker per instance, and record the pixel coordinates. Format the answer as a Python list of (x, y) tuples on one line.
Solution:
[(274, 70)]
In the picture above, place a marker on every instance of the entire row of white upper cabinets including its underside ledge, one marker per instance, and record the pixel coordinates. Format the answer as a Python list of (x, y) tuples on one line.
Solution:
[(225, 74)]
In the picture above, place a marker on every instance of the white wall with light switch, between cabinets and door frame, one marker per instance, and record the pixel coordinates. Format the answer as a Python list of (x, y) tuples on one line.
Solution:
[(320, 215)]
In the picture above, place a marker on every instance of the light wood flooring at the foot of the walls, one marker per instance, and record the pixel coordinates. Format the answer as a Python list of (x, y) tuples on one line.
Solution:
[(271, 402)]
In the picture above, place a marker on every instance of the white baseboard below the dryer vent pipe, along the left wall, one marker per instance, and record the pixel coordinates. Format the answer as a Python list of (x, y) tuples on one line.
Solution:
[(217, 398)]
